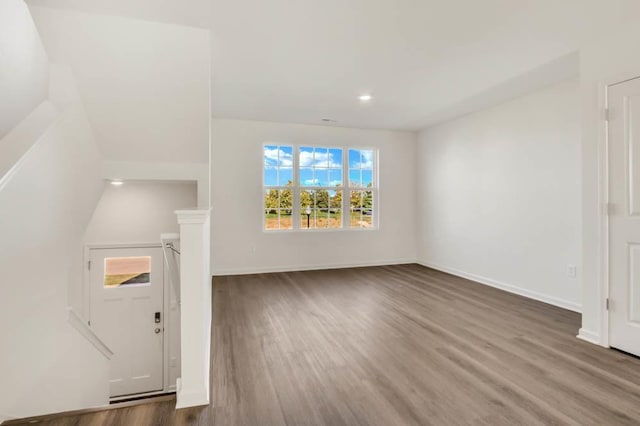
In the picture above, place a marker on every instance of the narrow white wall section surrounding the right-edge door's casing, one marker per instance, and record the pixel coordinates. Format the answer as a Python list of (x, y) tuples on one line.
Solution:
[(609, 60)]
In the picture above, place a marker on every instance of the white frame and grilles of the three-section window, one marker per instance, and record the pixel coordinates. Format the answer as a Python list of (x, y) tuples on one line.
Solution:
[(297, 188)]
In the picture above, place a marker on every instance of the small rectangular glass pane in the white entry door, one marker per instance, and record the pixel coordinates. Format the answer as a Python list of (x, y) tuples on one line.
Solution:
[(127, 271)]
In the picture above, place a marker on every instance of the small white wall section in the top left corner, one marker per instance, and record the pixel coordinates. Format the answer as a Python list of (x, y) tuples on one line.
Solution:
[(23, 75)]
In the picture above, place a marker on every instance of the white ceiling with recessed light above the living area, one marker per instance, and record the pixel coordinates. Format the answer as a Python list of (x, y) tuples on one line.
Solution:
[(424, 60)]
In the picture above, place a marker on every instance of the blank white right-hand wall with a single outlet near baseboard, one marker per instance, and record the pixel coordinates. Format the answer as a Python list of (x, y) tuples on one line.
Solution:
[(499, 194)]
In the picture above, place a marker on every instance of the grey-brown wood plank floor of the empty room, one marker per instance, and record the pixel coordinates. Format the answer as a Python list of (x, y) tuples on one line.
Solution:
[(397, 345)]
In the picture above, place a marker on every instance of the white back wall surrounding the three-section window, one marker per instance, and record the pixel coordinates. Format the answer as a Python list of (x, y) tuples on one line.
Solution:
[(238, 242)]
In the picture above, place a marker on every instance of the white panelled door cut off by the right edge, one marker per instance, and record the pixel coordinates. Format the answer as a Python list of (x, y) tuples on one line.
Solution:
[(624, 216)]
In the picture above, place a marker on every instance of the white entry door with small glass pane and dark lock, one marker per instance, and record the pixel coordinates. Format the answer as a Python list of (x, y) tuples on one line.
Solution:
[(127, 288)]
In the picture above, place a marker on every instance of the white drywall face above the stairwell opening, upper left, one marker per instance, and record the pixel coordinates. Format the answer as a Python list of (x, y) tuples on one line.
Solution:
[(145, 85)]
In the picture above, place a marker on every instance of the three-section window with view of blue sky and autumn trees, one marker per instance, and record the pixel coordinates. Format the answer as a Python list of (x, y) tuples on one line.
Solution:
[(319, 187)]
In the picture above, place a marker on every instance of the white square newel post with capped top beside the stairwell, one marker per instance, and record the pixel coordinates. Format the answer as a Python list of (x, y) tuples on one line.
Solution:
[(195, 296)]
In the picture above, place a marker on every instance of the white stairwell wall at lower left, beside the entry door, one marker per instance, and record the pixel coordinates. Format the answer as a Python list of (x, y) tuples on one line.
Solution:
[(45, 206)]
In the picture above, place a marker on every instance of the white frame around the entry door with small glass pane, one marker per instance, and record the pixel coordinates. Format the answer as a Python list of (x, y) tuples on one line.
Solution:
[(86, 298)]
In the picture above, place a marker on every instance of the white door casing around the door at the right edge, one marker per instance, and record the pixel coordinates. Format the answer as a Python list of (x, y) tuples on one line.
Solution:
[(603, 205)]
